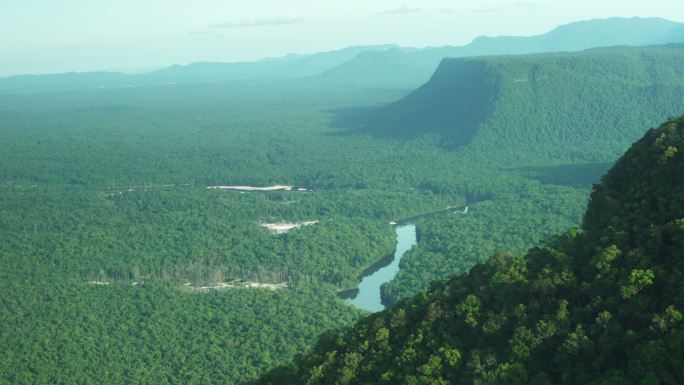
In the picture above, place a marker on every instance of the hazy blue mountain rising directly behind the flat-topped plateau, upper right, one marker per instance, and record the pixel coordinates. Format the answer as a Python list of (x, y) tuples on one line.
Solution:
[(411, 68)]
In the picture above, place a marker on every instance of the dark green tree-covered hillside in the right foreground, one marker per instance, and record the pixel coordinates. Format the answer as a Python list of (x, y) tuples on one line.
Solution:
[(600, 305)]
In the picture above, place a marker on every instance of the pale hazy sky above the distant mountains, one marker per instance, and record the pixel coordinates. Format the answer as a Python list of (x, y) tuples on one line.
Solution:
[(47, 36)]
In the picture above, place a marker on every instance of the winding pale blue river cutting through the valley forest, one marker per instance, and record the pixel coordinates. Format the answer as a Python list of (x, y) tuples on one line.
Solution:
[(368, 297)]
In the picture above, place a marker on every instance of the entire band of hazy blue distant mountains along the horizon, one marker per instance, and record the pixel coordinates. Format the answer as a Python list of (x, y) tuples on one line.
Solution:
[(384, 65)]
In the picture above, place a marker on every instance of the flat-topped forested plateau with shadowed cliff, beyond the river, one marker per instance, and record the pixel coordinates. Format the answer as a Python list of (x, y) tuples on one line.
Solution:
[(544, 100)]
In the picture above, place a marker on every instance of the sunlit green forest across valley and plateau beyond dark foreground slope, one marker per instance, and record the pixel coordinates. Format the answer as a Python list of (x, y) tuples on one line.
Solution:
[(116, 257)]
